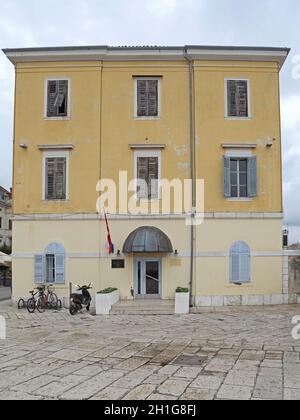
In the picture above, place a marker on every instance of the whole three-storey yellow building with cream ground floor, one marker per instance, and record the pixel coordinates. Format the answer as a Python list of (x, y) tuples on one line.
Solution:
[(174, 113)]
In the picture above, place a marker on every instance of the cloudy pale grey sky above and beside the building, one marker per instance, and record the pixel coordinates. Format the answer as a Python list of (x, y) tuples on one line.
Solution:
[(34, 23)]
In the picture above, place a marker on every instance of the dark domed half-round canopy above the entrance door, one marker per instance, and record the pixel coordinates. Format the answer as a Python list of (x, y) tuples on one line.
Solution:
[(147, 240)]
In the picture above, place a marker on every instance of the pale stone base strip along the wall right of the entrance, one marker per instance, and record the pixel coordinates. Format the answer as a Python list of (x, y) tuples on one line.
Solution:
[(247, 300)]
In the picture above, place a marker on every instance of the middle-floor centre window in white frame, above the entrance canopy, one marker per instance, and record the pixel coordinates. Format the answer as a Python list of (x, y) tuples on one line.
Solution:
[(147, 173)]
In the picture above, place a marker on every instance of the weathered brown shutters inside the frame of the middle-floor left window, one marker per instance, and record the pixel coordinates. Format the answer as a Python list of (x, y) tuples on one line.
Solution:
[(55, 177)]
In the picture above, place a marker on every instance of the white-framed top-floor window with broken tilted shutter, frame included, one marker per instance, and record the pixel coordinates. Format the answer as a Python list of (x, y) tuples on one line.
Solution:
[(57, 98)]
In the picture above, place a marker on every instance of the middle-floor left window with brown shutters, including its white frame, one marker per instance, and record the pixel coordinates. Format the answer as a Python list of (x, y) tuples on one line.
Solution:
[(55, 176)]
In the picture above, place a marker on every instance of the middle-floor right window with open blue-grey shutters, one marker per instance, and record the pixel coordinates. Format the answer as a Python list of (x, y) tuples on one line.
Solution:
[(240, 177)]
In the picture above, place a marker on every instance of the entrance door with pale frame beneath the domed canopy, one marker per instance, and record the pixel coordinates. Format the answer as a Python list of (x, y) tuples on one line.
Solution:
[(147, 278)]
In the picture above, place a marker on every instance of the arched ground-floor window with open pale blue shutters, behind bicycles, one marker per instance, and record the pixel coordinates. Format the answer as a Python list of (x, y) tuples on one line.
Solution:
[(50, 266)]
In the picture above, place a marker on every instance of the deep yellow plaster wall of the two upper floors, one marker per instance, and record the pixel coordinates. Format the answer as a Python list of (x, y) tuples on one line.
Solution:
[(102, 125)]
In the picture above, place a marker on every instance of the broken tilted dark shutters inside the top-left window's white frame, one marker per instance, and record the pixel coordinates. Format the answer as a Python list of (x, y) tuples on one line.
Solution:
[(57, 98)]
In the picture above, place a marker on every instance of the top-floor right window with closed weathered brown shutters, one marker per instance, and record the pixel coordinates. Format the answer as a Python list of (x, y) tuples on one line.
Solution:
[(237, 98)]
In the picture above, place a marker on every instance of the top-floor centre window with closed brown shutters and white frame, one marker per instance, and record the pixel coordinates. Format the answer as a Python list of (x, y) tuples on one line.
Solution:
[(147, 98)]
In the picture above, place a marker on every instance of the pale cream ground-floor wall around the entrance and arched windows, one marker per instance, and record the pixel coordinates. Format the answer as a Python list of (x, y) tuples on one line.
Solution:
[(81, 242)]
